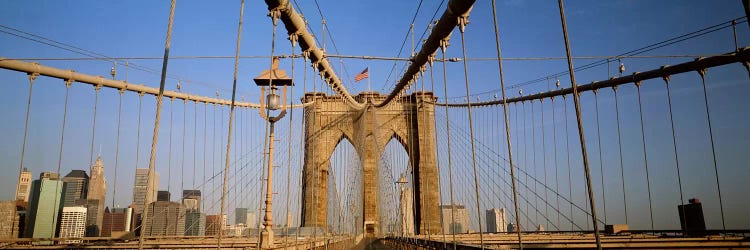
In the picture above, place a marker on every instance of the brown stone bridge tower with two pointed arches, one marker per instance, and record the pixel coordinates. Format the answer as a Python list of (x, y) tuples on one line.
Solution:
[(409, 120)]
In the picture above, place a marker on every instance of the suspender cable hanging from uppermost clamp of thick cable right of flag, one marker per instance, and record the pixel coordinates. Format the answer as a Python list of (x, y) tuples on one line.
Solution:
[(462, 22)]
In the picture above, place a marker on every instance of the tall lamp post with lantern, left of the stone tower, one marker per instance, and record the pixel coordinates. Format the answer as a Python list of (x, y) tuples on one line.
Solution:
[(271, 78)]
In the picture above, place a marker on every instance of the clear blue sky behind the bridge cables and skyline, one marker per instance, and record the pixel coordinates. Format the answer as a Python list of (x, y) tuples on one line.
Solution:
[(192, 141)]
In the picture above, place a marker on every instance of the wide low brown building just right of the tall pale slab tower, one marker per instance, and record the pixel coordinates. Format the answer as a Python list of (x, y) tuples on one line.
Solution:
[(164, 218)]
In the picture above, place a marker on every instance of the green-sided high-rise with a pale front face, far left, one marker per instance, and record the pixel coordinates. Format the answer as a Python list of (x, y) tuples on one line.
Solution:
[(45, 202)]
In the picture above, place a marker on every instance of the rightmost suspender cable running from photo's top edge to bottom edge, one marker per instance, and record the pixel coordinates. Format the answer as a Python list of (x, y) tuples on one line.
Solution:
[(581, 136)]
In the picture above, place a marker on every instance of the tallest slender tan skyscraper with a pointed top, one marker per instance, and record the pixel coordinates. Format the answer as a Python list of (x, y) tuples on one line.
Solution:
[(97, 192)]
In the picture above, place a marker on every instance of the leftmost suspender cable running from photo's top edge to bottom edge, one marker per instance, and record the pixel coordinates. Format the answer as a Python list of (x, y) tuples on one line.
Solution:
[(152, 159)]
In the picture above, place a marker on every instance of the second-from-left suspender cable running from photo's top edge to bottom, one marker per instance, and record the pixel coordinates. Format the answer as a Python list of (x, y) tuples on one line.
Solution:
[(231, 120)]
